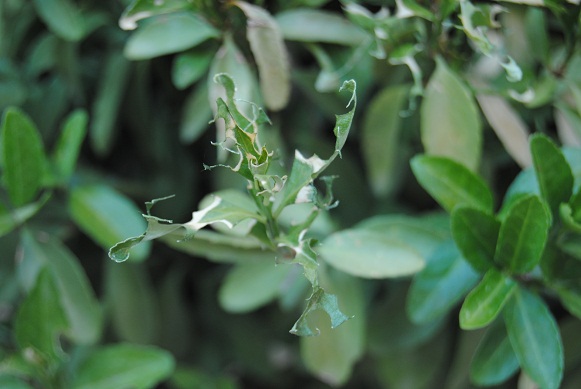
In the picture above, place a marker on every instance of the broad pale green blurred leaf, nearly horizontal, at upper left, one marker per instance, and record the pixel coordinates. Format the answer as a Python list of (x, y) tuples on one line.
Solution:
[(167, 34)]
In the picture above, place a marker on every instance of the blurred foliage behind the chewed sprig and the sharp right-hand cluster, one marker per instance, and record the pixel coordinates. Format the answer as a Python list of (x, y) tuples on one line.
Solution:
[(106, 105)]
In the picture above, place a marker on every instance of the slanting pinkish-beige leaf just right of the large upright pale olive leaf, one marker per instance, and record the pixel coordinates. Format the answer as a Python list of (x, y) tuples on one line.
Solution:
[(508, 126)]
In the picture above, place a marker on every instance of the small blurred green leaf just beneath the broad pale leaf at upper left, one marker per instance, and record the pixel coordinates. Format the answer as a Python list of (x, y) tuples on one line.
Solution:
[(190, 66)]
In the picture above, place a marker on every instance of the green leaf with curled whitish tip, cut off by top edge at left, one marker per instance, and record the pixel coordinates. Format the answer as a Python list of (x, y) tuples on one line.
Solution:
[(141, 9)]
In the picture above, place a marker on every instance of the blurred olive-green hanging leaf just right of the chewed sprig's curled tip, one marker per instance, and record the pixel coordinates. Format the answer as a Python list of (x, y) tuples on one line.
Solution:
[(380, 139)]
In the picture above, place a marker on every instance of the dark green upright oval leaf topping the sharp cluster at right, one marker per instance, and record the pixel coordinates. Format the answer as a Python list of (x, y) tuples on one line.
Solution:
[(552, 170)]
